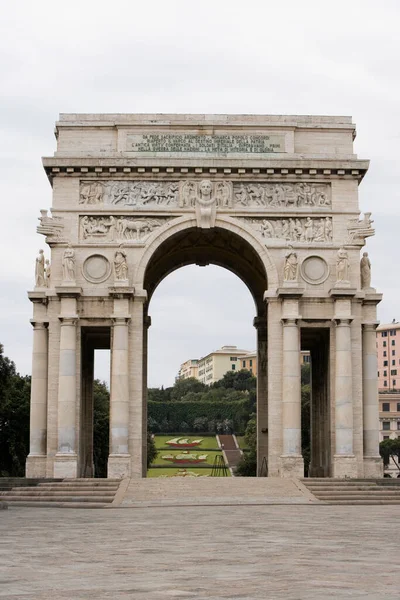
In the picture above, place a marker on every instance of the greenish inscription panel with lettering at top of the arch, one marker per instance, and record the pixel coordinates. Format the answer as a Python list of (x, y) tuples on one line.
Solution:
[(187, 143)]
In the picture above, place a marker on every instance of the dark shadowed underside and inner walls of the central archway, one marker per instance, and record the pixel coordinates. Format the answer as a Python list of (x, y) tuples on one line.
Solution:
[(223, 248)]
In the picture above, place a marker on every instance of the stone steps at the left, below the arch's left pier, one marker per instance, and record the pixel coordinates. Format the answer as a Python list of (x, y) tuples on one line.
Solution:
[(71, 493)]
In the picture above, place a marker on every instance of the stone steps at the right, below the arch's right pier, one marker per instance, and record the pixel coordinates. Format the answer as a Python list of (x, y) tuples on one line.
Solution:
[(354, 491)]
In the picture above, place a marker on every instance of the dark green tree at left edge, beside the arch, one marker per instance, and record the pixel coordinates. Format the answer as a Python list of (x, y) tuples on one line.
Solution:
[(14, 418)]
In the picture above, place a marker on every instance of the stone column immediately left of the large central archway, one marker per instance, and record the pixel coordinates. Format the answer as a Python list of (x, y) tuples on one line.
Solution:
[(119, 459)]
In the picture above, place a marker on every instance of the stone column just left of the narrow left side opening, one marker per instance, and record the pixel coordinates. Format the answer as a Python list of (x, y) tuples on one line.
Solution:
[(66, 458)]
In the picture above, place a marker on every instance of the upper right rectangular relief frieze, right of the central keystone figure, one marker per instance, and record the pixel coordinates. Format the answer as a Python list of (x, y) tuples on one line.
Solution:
[(283, 195)]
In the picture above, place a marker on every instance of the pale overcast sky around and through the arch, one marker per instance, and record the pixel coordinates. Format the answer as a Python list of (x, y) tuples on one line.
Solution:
[(288, 57)]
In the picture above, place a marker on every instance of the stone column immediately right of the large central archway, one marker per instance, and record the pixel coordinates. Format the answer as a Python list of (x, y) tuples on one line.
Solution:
[(292, 460)]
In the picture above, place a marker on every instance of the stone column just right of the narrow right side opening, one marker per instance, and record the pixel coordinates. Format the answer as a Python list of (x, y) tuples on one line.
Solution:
[(344, 463)]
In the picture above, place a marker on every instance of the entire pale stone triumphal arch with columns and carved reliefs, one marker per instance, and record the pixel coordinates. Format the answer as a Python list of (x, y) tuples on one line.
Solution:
[(272, 198)]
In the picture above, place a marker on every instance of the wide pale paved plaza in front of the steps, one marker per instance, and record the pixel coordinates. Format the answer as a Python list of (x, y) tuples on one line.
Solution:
[(241, 552)]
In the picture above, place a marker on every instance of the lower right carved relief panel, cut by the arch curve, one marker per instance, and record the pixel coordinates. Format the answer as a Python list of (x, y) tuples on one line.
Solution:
[(305, 230)]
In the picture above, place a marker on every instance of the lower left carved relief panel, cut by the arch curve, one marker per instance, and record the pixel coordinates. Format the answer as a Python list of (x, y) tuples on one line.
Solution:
[(117, 229)]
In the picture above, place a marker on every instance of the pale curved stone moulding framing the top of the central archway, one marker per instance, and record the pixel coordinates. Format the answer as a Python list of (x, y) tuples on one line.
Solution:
[(222, 222)]
